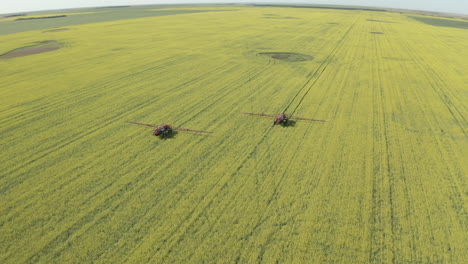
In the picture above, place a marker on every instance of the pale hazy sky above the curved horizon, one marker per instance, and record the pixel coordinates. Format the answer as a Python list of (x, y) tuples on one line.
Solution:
[(448, 6)]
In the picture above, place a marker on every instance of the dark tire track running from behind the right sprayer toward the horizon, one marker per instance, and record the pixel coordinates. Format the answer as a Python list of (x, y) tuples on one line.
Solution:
[(318, 72)]
